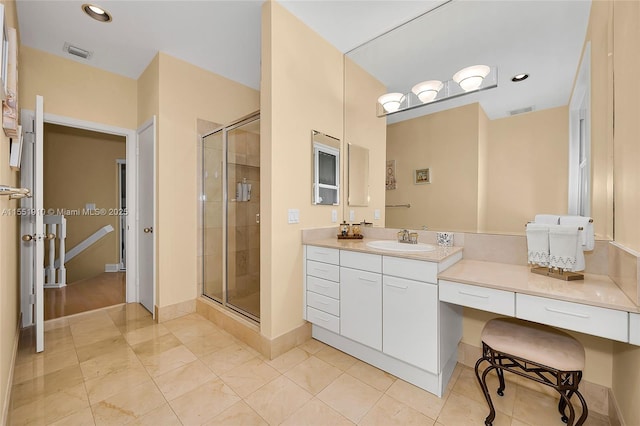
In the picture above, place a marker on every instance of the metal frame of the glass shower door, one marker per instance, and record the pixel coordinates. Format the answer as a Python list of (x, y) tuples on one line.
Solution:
[(225, 200)]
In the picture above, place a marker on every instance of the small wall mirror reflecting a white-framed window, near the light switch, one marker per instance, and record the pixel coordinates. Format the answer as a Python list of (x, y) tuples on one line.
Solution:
[(326, 169)]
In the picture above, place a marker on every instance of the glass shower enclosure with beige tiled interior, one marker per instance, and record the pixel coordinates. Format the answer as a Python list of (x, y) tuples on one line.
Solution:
[(231, 216)]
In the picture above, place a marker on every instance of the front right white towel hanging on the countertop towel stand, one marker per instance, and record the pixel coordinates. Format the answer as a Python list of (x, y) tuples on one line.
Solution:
[(565, 248)]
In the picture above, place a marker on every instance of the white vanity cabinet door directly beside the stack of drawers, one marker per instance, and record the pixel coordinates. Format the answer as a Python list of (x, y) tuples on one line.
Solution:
[(361, 307)]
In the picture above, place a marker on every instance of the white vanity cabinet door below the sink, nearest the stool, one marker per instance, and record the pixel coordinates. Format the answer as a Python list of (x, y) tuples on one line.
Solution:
[(410, 322)]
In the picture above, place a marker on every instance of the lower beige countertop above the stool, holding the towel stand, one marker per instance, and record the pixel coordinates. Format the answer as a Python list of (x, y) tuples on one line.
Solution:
[(595, 290)]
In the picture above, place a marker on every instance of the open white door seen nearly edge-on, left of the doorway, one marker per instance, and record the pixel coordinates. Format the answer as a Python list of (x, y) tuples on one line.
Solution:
[(31, 224)]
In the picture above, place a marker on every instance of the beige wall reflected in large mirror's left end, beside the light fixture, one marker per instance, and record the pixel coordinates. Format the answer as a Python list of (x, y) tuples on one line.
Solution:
[(363, 128)]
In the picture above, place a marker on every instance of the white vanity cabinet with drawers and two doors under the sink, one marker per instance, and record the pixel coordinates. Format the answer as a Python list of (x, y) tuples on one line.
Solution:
[(389, 312)]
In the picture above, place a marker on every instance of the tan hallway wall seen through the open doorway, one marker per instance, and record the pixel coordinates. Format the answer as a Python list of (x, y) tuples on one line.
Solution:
[(86, 161)]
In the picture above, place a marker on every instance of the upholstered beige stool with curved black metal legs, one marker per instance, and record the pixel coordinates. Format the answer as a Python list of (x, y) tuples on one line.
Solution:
[(537, 352)]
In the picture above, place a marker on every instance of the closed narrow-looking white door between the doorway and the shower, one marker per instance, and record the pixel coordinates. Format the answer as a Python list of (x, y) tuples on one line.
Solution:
[(146, 214)]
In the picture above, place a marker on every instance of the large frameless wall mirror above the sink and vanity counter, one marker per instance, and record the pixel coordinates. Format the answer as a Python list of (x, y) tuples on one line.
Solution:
[(499, 156)]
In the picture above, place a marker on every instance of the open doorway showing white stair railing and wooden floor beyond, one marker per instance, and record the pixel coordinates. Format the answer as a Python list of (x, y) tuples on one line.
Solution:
[(81, 203)]
